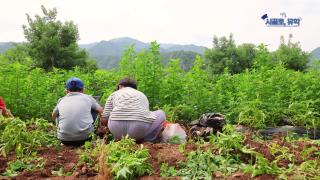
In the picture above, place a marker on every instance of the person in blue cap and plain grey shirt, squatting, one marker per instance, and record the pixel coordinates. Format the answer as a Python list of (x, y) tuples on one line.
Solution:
[(73, 114)]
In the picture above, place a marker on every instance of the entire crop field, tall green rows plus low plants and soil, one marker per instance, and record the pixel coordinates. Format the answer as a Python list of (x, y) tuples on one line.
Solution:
[(257, 98)]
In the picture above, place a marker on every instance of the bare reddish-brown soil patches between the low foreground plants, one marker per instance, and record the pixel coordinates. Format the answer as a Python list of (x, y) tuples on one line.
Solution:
[(67, 158)]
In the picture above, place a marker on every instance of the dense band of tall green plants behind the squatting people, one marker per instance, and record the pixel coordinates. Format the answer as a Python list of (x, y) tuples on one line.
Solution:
[(259, 97)]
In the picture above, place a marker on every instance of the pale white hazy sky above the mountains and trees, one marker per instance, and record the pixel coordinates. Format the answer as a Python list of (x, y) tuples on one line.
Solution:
[(171, 21)]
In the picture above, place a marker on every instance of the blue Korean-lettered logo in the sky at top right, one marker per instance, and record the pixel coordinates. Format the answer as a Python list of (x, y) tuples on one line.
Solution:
[(282, 21)]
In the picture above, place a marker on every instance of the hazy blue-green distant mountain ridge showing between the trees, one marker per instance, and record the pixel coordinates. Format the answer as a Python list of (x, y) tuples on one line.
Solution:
[(108, 53)]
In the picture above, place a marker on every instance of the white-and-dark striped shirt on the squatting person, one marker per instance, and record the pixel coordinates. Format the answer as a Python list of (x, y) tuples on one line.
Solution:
[(128, 104)]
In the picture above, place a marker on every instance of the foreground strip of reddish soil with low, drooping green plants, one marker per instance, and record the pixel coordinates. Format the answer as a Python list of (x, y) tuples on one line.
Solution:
[(30, 151)]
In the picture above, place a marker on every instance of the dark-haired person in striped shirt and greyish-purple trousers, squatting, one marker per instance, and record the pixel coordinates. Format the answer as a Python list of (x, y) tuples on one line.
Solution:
[(126, 112)]
